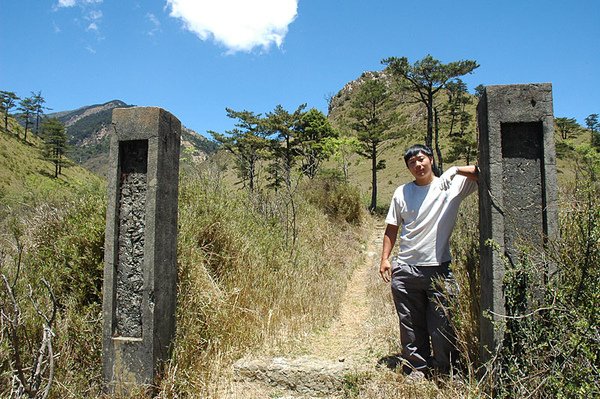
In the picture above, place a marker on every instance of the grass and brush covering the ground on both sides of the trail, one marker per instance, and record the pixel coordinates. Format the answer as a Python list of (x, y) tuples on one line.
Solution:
[(251, 267)]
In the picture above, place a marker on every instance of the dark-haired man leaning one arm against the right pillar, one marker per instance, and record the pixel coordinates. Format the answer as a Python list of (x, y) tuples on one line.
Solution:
[(425, 212)]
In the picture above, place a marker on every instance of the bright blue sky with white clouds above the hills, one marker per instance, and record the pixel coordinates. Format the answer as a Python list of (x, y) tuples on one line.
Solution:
[(196, 57)]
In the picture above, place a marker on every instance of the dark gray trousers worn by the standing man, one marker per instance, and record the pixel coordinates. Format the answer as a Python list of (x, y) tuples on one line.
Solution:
[(424, 325)]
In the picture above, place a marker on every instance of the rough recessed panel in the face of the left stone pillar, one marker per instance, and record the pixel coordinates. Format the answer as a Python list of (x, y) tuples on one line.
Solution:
[(132, 219)]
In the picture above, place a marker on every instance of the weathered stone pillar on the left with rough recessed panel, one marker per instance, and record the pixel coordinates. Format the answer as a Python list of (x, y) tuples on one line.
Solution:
[(140, 255)]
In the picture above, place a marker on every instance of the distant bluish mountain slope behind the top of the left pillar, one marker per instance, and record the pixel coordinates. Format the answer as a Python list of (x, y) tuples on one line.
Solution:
[(88, 130)]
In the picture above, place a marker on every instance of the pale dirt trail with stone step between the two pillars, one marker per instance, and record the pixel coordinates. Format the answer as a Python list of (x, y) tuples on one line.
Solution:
[(344, 348)]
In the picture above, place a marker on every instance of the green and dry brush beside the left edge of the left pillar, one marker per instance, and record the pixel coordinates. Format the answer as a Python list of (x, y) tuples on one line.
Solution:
[(60, 240)]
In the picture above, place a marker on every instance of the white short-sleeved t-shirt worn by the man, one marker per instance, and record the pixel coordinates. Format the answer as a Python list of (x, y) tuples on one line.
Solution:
[(427, 215)]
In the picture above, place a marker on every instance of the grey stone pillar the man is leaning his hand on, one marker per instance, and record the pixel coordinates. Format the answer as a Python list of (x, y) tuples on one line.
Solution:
[(517, 189)]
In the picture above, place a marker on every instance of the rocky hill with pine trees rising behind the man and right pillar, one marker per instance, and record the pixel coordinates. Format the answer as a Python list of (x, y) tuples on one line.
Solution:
[(389, 113)]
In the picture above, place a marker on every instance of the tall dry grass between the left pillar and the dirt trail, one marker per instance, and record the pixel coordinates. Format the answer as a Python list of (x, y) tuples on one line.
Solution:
[(243, 287)]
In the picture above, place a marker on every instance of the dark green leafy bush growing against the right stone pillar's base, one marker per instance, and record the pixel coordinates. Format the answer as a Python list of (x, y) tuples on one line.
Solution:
[(552, 346)]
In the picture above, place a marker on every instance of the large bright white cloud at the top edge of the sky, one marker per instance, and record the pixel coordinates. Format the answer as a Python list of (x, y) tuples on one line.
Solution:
[(239, 25)]
